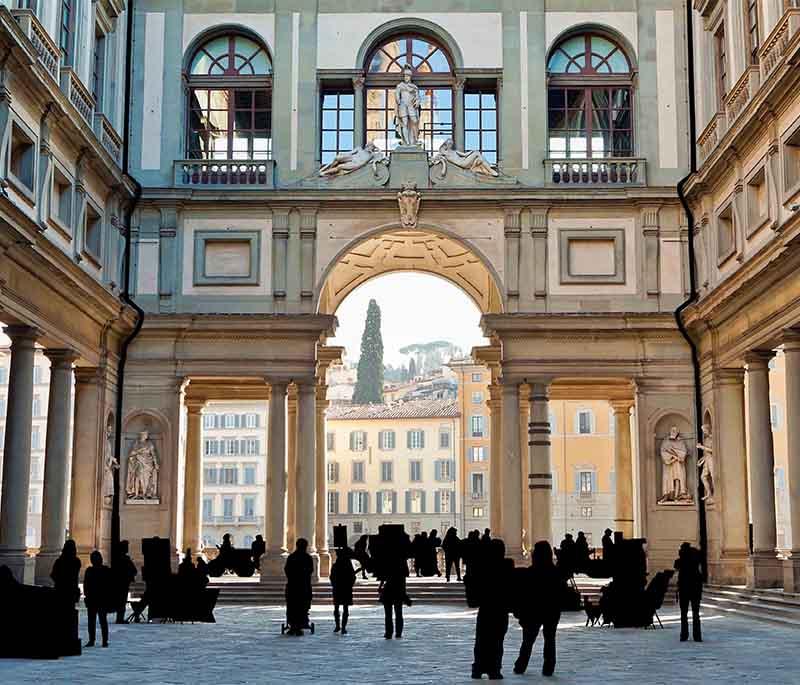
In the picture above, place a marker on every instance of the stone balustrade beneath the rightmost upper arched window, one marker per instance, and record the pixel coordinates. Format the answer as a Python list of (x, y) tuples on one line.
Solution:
[(596, 172)]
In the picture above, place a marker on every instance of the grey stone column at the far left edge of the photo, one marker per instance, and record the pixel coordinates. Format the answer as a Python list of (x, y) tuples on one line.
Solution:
[(17, 452)]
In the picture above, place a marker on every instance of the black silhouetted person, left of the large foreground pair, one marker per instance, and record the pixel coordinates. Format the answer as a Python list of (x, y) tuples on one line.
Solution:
[(493, 585)]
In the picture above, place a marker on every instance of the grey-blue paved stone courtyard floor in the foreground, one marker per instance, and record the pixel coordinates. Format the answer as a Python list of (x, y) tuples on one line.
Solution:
[(246, 646)]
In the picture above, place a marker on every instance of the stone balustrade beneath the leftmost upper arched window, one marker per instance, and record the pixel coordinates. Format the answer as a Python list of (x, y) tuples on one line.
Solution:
[(213, 173)]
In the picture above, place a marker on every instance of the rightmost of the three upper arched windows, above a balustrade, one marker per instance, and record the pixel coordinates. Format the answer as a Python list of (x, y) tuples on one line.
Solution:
[(589, 99)]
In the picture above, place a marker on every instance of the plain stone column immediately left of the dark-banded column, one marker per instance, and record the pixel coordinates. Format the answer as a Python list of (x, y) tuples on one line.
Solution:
[(511, 469)]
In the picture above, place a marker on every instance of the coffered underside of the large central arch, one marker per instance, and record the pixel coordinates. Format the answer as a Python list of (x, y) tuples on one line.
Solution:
[(425, 249)]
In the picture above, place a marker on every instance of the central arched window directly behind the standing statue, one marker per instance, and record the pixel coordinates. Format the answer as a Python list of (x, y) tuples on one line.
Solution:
[(432, 72)]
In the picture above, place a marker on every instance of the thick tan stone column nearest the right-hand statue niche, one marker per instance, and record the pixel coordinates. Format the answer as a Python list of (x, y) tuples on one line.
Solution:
[(730, 472)]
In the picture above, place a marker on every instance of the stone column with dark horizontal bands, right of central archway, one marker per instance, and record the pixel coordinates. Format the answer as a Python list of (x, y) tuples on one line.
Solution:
[(540, 473)]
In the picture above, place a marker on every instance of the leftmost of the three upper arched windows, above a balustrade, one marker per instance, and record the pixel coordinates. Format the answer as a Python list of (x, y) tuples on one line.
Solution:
[(230, 100)]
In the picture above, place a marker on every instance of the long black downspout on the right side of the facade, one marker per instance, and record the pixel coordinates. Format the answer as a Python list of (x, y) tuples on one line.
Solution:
[(698, 400)]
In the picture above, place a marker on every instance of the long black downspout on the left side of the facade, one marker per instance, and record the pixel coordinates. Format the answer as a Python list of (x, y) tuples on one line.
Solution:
[(125, 294)]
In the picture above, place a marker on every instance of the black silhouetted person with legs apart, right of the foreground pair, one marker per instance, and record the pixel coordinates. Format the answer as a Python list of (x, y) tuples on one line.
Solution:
[(540, 594)]
